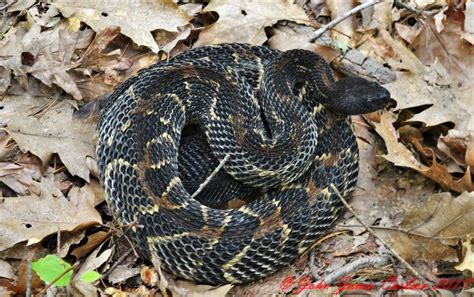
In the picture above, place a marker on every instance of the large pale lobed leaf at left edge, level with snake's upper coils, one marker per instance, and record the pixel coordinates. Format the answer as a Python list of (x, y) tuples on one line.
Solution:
[(45, 127)]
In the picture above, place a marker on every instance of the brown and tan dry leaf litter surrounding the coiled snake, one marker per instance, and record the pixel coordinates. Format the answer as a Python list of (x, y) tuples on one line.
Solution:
[(415, 185)]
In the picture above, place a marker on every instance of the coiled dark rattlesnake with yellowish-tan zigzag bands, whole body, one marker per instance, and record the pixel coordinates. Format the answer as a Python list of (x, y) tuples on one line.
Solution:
[(280, 119)]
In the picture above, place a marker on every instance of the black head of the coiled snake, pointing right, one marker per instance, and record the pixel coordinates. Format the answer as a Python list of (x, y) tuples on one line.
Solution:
[(355, 95)]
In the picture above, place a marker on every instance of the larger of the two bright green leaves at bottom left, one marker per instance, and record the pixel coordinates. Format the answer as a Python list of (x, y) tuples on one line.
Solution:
[(50, 267)]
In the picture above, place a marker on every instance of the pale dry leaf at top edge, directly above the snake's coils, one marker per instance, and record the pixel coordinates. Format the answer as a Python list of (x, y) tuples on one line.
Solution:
[(244, 21)]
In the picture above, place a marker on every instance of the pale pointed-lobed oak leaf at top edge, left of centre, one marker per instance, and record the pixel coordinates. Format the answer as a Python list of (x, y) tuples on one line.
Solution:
[(136, 20)]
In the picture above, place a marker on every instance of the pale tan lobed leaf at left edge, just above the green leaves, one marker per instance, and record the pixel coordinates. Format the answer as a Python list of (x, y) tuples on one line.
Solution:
[(31, 218)]
